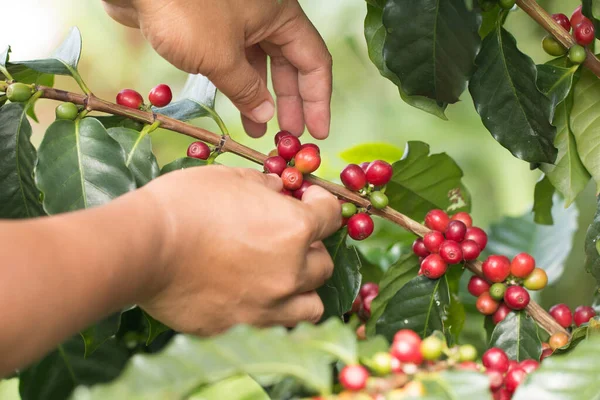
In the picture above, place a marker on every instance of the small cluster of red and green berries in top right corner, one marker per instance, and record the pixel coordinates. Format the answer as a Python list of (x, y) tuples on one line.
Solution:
[(583, 33)]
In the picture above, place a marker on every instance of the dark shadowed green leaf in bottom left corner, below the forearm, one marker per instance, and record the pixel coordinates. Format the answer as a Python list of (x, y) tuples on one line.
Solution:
[(55, 376)]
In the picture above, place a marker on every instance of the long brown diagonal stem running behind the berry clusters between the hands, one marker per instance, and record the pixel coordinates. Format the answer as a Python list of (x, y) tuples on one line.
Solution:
[(226, 144)]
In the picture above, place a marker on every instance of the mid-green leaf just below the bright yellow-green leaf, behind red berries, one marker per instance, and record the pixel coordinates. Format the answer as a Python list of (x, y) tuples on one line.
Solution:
[(422, 182)]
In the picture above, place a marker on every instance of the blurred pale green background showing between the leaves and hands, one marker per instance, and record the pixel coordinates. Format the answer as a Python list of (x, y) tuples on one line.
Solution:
[(365, 108)]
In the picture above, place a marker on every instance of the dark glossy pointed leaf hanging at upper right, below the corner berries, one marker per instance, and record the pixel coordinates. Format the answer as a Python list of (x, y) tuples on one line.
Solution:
[(506, 97)]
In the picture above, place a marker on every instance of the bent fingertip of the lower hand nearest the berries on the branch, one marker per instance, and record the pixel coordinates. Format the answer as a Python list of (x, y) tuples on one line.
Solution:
[(325, 210)]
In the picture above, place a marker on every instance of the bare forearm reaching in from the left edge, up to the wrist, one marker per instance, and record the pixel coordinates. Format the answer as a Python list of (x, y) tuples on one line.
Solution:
[(61, 274)]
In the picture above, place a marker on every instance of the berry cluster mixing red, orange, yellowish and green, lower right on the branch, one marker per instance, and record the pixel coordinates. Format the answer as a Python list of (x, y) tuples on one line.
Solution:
[(501, 288)]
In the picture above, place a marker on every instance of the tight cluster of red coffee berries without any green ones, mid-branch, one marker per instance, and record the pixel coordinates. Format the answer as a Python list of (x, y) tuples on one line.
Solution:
[(451, 241)]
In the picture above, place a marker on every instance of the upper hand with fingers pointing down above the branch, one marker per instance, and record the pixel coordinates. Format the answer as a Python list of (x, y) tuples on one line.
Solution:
[(229, 40)]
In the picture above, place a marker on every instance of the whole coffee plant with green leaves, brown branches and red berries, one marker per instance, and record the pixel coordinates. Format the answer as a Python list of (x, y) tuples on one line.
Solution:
[(394, 323)]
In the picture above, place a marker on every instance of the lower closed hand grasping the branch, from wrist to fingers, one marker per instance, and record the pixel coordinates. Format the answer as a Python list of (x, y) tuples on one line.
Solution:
[(241, 253)]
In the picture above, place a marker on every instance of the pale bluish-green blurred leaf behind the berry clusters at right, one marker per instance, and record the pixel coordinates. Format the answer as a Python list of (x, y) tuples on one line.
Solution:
[(549, 245)]
